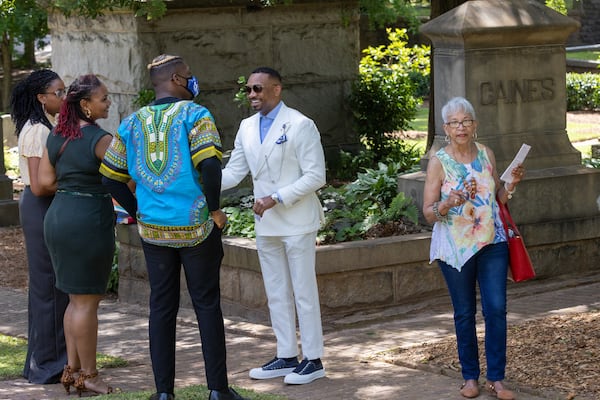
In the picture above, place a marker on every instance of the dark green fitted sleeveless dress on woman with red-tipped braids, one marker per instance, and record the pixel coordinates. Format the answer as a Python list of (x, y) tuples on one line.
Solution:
[(78, 226)]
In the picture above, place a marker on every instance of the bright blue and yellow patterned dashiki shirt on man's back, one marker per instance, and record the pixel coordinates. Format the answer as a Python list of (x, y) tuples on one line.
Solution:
[(159, 147)]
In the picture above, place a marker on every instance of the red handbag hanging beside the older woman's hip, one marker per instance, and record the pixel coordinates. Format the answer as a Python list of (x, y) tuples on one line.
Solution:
[(520, 264)]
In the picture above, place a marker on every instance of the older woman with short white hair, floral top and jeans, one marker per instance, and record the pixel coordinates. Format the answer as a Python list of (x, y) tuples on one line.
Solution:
[(469, 243)]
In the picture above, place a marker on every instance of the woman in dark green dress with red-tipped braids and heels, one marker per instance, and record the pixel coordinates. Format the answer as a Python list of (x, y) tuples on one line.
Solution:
[(78, 227)]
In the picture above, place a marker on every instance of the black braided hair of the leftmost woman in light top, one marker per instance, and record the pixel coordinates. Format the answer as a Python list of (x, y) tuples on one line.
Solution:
[(24, 103)]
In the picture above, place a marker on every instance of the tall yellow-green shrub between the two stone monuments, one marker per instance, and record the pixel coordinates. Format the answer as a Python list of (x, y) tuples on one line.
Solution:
[(383, 99)]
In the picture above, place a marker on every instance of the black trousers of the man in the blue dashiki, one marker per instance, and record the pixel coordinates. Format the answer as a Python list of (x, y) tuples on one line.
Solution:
[(202, 264)]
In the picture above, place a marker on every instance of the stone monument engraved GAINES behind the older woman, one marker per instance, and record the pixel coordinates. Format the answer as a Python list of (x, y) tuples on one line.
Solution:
[(508, 58)]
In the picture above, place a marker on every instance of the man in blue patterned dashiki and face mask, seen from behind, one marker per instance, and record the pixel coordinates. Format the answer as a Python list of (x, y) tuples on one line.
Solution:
[(171, 149)]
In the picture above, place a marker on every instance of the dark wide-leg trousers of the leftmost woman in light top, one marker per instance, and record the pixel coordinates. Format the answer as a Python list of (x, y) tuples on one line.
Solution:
[(46, 348)]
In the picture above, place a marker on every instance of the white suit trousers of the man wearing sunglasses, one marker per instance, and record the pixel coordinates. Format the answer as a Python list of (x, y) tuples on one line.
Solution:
[(288, 270)]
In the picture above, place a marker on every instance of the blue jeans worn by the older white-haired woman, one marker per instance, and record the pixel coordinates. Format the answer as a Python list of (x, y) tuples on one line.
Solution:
[(488, 268)]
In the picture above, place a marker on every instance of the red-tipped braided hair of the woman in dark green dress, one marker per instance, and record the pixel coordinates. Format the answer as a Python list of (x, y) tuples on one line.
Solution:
[(71, 112)]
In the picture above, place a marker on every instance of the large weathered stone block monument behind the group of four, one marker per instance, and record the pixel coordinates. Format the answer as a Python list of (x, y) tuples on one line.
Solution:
[(313, 44)]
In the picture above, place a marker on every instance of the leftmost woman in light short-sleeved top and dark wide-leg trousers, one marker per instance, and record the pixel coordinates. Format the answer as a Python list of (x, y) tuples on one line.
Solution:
[(34, 103)]
